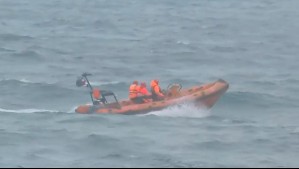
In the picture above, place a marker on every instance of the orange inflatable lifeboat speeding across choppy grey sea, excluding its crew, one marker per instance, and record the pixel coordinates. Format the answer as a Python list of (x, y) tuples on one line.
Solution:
[(202, 95)]
